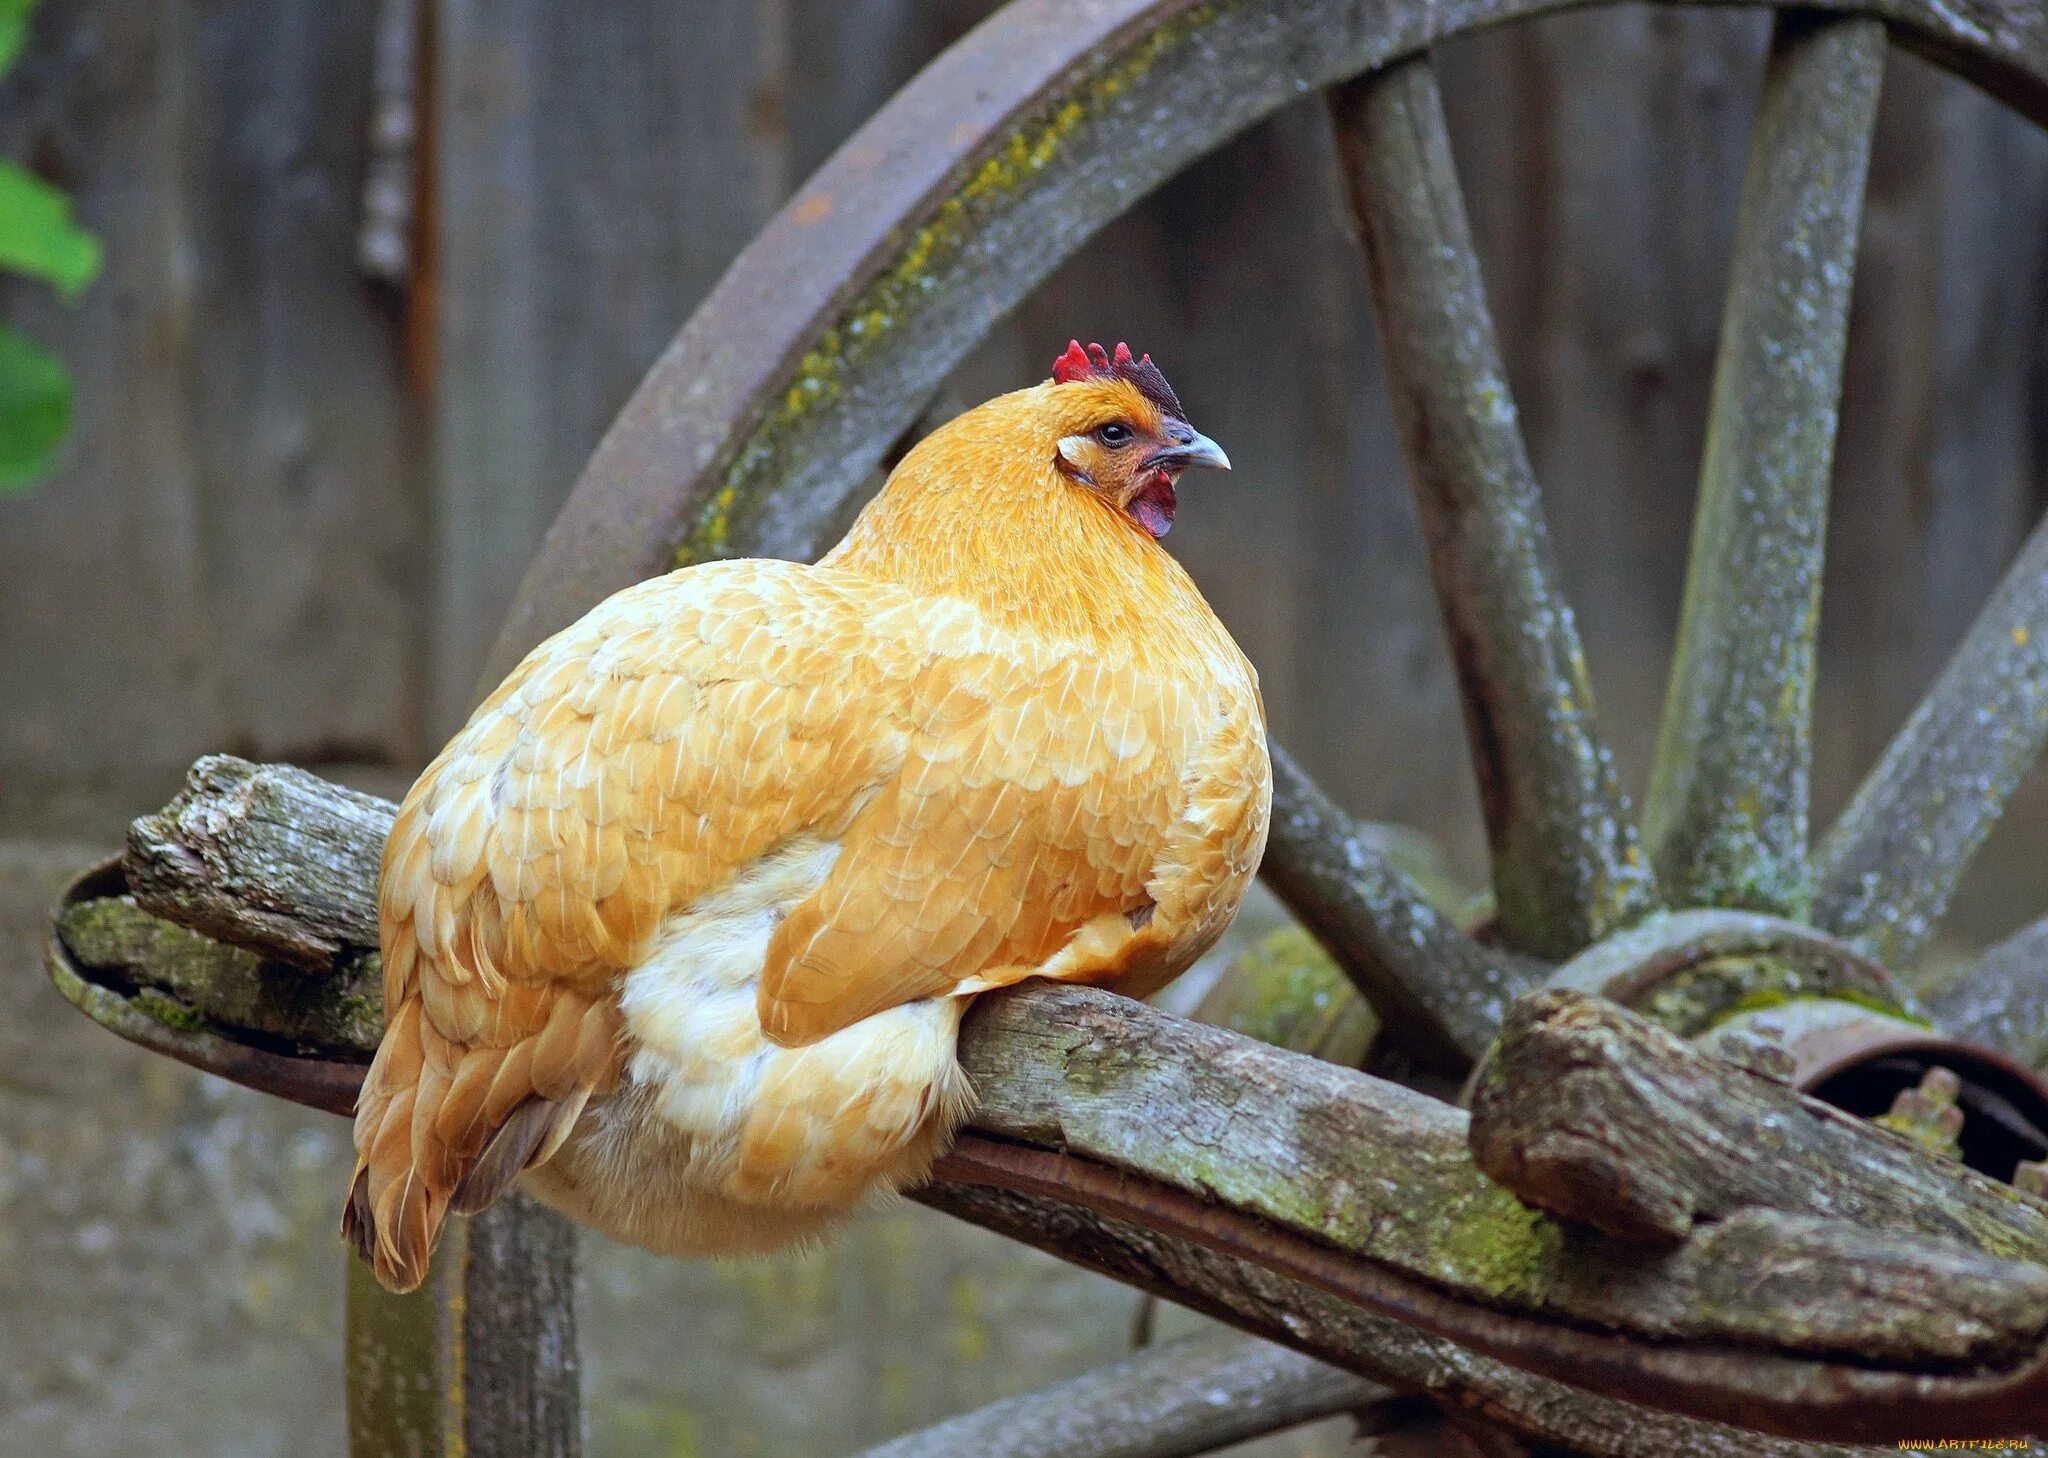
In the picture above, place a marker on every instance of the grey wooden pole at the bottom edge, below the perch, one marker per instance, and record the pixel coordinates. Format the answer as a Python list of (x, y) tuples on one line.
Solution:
[(1170, 1402)]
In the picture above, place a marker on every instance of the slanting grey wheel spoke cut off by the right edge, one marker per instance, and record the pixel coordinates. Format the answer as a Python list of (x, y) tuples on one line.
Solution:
[(1889, 867)]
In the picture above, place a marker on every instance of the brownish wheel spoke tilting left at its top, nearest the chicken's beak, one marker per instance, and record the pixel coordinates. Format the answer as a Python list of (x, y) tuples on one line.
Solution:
[(1566, 859)]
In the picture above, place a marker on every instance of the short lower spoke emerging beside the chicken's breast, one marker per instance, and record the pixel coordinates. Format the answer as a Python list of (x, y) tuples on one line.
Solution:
[(1439, 988)]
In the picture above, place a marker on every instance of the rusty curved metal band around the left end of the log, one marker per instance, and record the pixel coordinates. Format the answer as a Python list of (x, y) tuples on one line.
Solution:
[(325, 1084)]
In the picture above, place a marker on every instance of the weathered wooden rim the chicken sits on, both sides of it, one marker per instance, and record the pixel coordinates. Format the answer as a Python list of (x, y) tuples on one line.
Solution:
[(1332, 1183)]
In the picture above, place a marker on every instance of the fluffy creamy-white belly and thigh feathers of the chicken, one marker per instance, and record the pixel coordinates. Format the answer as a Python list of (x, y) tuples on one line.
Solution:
[(726, 1142)]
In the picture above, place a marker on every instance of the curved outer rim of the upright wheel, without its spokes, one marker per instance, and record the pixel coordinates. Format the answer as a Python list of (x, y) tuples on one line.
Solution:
[(667, 456)]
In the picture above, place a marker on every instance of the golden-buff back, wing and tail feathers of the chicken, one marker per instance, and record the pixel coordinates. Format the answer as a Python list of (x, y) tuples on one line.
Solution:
[(1000, 800)]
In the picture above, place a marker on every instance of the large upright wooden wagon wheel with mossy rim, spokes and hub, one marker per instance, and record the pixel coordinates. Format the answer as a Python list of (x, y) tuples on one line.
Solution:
[(833, 331)]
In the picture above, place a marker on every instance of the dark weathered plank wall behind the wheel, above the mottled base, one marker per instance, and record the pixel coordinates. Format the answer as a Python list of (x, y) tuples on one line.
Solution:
[(300, 501)]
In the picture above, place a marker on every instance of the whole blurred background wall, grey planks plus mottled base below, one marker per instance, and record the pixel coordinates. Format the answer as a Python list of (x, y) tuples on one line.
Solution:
[(298, 503)]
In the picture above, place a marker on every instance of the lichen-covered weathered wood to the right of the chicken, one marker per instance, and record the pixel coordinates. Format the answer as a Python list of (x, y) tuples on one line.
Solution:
[(1379, 1170)]
